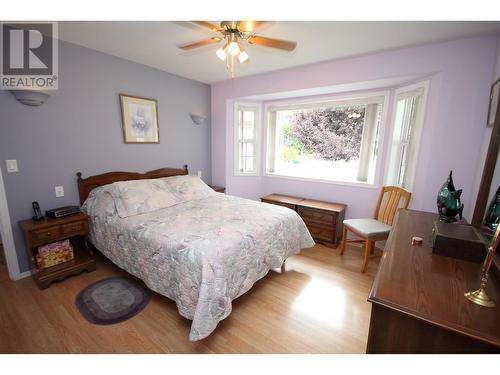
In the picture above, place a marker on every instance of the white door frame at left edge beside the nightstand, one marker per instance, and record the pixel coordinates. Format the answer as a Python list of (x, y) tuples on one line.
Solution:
[(9, 247)]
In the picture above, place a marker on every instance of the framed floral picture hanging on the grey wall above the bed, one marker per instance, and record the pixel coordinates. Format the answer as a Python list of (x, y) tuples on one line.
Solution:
[(139, 119)]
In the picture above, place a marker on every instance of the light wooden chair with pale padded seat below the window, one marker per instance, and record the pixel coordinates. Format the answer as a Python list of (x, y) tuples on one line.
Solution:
[(378, 228)]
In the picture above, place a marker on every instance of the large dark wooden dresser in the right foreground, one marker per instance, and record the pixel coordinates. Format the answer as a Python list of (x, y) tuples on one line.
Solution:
[(417, 297)]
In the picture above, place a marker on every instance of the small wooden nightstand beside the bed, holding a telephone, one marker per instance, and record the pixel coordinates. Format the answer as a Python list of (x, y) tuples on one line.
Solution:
[(73, 227)]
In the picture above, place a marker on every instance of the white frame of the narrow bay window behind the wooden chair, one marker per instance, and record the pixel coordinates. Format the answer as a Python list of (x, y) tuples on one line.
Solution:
[(393, 157)]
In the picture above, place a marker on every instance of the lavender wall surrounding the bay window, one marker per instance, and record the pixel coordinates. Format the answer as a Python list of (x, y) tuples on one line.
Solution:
[(460, 73)]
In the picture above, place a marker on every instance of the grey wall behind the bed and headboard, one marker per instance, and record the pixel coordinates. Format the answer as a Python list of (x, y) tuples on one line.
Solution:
[(79, 129)]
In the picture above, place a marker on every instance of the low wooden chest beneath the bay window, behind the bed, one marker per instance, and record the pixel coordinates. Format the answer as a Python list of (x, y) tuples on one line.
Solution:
[(323, 219)]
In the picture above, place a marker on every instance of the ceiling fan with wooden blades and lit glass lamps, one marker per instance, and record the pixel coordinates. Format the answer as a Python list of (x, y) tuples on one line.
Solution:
[(235, 34)]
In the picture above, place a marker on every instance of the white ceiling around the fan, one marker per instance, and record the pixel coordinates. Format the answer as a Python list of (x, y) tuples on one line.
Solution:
[(155, 43)]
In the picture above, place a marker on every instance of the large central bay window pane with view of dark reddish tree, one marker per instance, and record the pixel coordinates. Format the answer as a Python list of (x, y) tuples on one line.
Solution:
[(334, 140)]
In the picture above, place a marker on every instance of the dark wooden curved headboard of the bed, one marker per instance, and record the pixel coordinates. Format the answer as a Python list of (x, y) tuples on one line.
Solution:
[(85, 185)]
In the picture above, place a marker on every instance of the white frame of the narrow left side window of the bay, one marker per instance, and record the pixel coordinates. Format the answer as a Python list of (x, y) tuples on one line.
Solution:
[(256, 107)]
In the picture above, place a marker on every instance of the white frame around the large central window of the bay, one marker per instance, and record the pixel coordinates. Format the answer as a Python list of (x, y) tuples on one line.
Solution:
[(301, 103)]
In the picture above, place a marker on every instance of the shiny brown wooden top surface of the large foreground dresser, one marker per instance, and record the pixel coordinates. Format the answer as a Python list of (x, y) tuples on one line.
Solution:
[(431, 287)]
